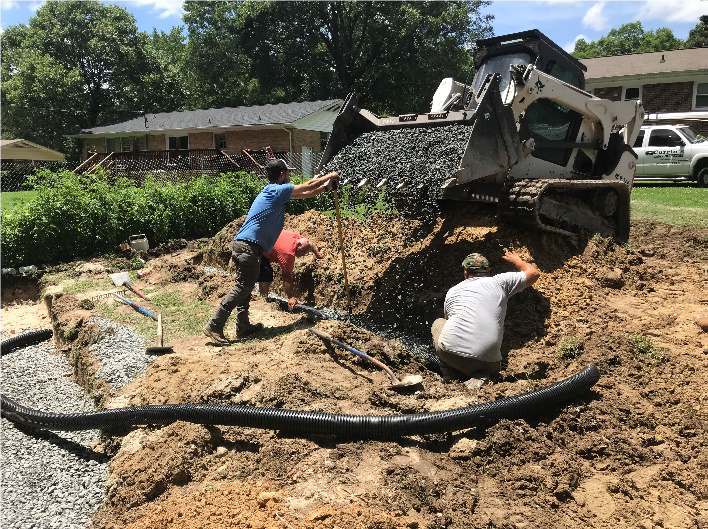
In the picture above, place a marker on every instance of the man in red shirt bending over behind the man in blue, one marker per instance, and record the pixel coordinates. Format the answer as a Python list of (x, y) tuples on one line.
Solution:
[(288, 246)]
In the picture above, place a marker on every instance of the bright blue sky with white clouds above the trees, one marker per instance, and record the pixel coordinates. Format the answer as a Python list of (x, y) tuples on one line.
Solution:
[(561, 20)]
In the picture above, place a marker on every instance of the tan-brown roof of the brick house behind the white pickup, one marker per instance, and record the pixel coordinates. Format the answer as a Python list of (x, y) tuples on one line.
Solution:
[(652, 63)]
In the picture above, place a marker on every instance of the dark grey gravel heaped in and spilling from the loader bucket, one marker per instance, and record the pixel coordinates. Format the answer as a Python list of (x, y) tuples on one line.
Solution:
[(414, 161)]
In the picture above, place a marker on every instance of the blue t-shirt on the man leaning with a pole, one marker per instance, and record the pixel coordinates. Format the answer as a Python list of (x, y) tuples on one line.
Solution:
[(266, 217)]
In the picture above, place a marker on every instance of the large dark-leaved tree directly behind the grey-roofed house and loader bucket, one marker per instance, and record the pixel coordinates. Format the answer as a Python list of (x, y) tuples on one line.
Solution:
[(393, 51)]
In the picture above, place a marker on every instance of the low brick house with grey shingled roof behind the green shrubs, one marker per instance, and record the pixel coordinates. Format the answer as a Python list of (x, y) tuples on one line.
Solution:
[(299, 129)]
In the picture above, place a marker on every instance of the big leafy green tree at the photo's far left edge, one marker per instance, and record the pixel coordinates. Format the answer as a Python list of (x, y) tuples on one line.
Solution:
[(76, 64)]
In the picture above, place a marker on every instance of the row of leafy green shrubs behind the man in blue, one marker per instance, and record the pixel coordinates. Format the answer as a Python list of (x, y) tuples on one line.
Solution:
[(74, 216)]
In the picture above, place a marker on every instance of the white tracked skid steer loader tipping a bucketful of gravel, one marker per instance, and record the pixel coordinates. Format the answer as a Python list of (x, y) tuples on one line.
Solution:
[(533, 141)]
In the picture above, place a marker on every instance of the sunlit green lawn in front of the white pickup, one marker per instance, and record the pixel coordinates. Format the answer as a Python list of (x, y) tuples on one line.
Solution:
[(680, 205)]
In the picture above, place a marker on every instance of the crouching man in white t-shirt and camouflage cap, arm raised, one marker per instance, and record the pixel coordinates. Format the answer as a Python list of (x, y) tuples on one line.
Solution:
[(469, 337)]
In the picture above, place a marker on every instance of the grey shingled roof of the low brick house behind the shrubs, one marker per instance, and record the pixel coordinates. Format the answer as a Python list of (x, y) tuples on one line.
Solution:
[(280, 114)]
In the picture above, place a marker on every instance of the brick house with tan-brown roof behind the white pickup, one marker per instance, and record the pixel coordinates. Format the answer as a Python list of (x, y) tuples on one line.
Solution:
[(672, 85)]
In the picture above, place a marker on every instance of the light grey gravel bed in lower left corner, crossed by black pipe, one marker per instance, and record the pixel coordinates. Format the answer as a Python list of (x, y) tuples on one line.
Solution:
[(48, 479)]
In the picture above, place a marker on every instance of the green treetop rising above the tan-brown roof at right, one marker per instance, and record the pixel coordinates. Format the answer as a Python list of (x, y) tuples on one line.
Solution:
[(629, 38)]
